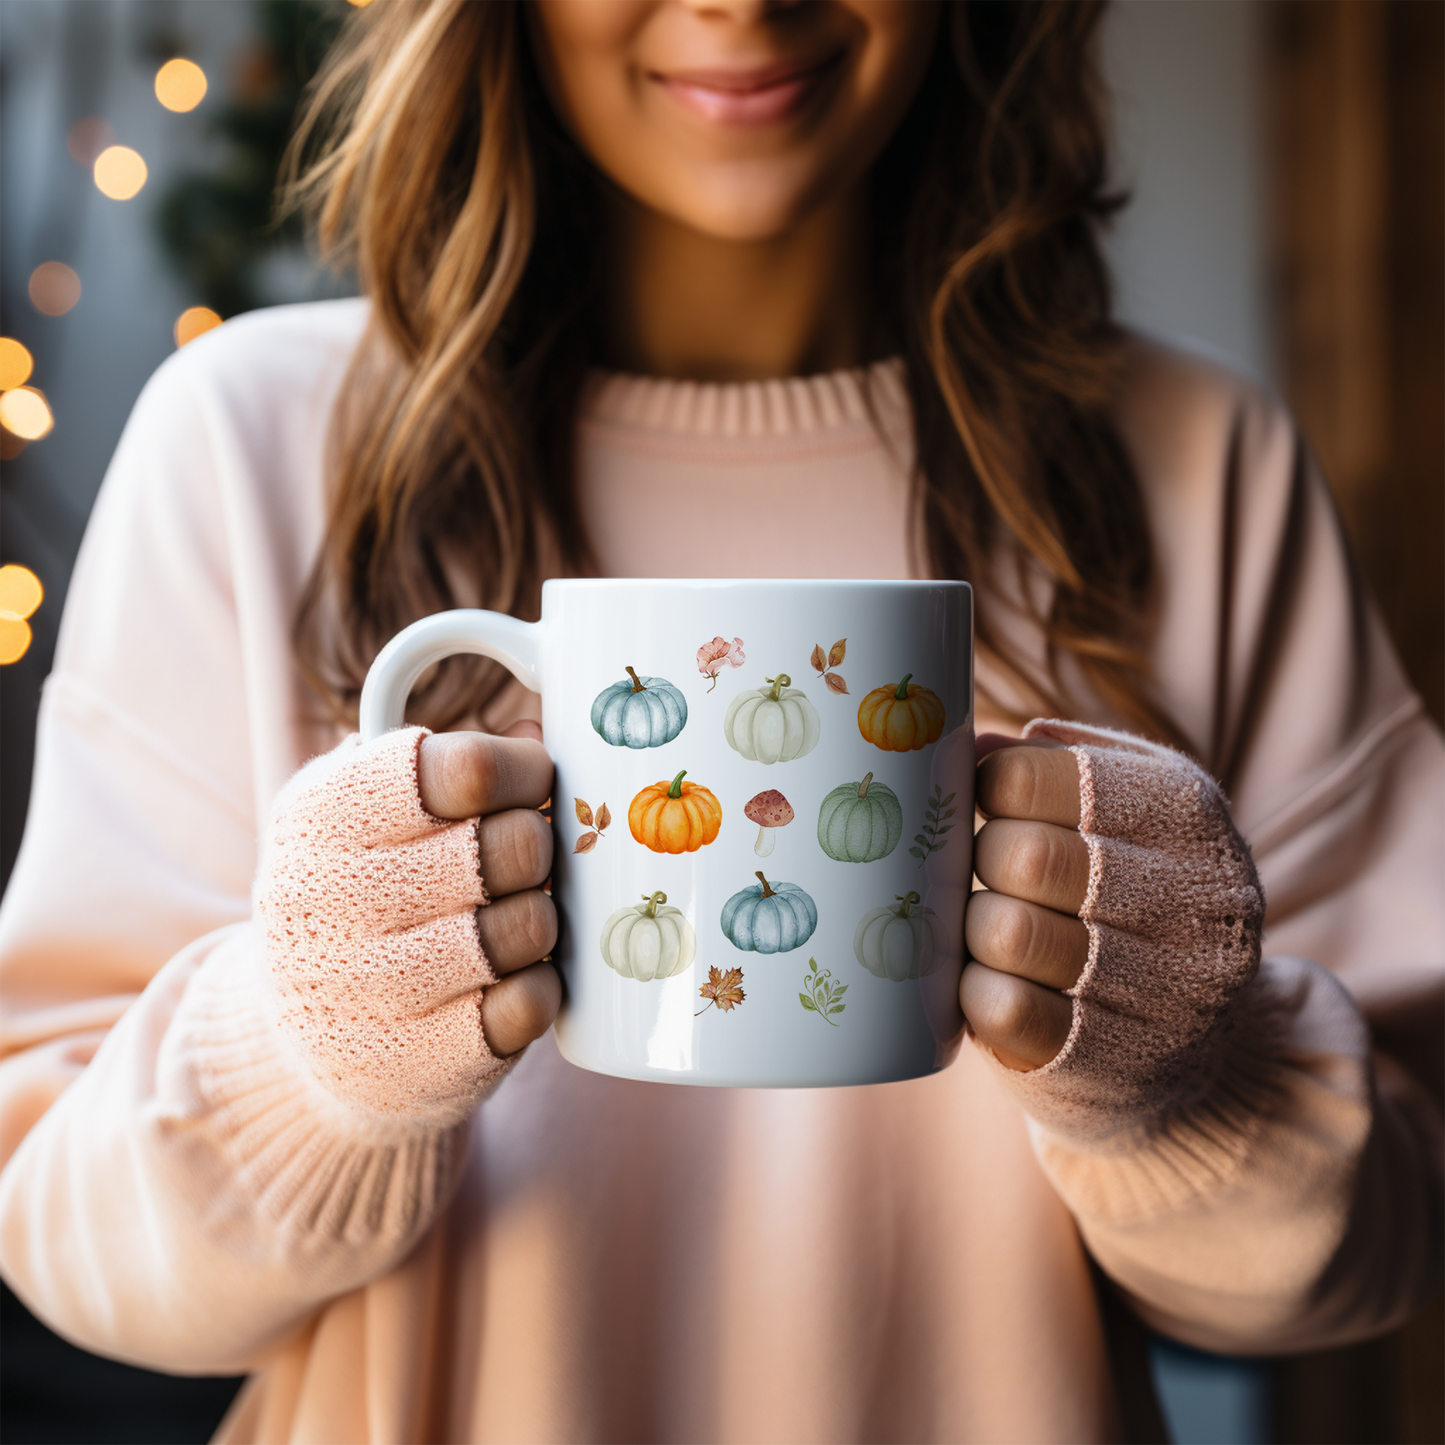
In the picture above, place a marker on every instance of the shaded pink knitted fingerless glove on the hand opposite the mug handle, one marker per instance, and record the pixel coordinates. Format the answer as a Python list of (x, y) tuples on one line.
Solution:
[(1174, 914)]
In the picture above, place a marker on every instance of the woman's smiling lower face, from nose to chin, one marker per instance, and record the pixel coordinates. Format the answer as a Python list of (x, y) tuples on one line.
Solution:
[(736, 118)]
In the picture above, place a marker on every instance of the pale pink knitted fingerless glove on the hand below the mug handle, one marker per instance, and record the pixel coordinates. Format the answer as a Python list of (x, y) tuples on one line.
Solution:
[(372, 939)]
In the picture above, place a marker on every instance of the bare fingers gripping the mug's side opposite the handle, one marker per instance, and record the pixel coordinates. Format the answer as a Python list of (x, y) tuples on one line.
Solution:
[(1024, 934)]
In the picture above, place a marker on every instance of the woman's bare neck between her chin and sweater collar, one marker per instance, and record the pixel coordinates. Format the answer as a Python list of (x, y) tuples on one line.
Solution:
[(683, 304)]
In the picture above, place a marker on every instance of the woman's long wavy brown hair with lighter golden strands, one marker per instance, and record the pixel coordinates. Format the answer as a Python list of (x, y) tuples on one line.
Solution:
[(434, 164)]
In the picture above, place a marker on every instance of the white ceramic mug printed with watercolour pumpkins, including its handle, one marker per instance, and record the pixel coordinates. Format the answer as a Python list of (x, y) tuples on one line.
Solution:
[(764, 819)]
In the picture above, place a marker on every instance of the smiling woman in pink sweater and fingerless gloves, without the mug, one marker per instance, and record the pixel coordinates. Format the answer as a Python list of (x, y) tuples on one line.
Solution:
[(596, 238)]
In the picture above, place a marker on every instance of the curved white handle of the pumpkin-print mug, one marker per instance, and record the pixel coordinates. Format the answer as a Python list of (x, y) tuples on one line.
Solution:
[(517, 645)]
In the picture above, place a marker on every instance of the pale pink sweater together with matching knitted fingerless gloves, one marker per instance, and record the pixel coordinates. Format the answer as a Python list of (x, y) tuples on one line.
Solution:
[(213, 1164)]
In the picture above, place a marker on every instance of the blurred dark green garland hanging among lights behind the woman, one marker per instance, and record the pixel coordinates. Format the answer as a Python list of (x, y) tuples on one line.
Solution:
[(219, 226)]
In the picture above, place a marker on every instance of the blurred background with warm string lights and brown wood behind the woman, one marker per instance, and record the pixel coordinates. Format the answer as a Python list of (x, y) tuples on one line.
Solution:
[(1288, 165)]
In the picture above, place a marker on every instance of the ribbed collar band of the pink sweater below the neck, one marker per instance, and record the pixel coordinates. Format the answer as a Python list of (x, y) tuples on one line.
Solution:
[(804, 405)]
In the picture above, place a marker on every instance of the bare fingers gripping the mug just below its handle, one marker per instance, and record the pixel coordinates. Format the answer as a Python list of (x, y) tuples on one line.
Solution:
[(504, 781)]
